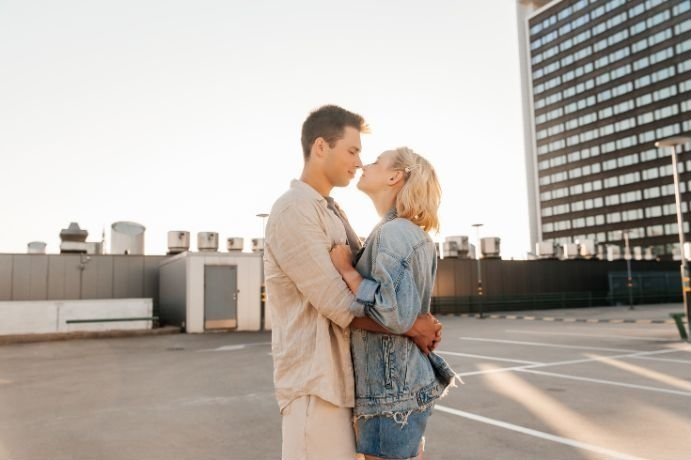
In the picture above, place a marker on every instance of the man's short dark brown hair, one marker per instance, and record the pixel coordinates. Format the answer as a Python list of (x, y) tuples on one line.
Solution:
[(329, 122)]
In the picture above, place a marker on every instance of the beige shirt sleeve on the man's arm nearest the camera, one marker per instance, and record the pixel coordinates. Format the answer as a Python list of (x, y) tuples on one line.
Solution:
[(300, 246)]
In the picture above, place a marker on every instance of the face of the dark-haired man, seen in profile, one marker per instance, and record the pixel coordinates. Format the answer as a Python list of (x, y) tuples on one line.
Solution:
[(343, 159)]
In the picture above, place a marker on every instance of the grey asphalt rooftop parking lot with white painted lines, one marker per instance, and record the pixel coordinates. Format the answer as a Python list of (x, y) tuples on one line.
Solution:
[(534, 389)]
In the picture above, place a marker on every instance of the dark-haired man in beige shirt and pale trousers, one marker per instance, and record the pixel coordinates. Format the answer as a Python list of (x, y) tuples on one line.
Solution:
[(309, 301)]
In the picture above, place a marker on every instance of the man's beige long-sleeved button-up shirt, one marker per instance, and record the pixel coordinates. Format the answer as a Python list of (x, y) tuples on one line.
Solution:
[(308, 300)]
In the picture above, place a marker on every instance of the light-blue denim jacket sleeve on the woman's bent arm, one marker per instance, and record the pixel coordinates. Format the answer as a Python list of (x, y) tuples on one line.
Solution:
[(389, 295)]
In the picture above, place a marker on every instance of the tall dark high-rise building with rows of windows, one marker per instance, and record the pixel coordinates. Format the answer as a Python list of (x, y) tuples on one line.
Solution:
[(604, 80)]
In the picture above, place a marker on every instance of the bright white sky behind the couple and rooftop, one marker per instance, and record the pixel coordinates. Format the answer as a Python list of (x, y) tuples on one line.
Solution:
[(186, 115)]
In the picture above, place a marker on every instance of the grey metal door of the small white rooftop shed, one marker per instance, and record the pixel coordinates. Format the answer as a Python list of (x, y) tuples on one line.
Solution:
[(220, 296)]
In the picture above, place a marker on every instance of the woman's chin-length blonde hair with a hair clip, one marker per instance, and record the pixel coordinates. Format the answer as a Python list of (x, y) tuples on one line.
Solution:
[(418, 200)]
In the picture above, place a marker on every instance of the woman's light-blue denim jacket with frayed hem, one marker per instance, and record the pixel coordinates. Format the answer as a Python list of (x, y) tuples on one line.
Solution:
[(392, 376)]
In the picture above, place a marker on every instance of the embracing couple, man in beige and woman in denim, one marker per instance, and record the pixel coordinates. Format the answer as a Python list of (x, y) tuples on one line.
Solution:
[(355, 373)]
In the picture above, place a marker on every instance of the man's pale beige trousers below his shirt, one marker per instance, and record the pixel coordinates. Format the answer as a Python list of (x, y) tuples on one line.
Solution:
[(314, 429)]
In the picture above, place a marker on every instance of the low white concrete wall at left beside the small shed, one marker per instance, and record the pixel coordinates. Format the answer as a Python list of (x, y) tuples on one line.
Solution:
[(49, 316)]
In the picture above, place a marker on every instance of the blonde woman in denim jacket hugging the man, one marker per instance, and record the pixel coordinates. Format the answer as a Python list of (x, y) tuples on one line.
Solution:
[(396, 385)]
